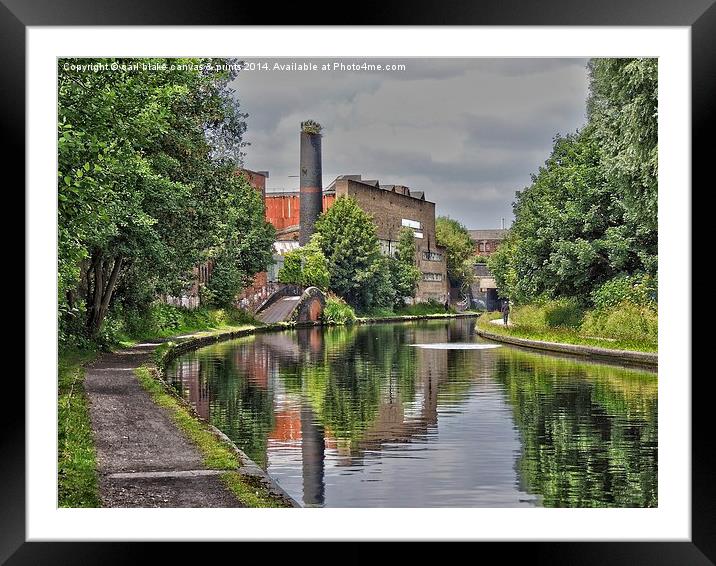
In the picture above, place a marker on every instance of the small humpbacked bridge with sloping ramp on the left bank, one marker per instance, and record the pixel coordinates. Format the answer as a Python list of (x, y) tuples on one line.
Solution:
[(292, 303)]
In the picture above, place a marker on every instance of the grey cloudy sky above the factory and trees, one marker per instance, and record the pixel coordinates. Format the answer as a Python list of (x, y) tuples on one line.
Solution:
[(468, 132)]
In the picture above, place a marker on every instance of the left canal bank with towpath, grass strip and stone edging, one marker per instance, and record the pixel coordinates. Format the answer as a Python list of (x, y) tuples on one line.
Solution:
[(151, 445)]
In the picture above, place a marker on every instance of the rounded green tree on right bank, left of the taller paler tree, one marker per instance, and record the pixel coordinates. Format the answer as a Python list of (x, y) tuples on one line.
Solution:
[(560, 222)]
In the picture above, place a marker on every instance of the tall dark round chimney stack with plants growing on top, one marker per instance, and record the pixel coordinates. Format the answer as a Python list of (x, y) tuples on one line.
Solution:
[(311, 176)]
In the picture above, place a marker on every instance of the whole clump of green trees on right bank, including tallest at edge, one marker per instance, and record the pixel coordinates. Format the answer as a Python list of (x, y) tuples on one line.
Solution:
[(589, 216)]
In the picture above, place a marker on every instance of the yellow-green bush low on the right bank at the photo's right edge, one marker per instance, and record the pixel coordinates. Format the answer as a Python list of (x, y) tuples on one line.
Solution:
[(626, 321)]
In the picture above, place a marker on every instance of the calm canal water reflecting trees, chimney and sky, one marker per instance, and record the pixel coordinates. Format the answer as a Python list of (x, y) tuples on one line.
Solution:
[(427, 414)]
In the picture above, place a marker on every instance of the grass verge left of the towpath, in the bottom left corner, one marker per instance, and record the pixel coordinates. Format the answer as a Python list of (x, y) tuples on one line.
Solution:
[(77, 483)]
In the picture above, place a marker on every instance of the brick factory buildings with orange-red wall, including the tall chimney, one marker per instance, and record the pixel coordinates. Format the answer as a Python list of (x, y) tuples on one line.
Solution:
[(294, 213)]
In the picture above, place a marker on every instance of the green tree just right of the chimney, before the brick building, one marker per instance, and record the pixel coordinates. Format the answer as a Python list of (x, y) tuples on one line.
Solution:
[(358, 271)]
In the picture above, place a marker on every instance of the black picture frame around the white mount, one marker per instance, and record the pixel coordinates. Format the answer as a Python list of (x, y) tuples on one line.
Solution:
[(699, 15)]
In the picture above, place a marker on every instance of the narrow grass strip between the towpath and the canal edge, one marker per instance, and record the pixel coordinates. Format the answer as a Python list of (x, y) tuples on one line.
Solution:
[(217, 455)]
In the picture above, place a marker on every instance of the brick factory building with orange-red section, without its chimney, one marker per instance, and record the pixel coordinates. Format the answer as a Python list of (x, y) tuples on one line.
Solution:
[(392, 208)]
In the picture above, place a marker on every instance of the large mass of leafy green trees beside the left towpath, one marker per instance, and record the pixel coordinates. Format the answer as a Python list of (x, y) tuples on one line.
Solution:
[(147, 185)]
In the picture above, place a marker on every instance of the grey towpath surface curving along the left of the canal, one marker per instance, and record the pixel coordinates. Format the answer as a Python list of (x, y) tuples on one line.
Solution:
[(143, 459)]
